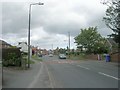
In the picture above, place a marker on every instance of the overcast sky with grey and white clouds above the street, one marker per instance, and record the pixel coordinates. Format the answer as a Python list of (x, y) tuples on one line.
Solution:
[(51, 22)]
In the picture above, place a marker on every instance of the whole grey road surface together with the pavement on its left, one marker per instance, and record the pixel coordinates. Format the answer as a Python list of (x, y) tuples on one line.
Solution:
[(61, 73)]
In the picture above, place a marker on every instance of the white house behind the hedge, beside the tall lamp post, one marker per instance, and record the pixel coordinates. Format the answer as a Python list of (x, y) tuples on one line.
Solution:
[(24, 47)]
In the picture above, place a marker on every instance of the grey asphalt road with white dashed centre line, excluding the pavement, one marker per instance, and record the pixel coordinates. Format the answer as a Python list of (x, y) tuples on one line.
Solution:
[(81, 74)]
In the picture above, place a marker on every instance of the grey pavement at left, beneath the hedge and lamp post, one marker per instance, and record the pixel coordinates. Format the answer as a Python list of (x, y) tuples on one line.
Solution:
[(35, 77)]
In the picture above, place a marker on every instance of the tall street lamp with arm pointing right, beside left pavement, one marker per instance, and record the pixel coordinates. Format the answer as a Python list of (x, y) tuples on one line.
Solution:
[(29, 31)]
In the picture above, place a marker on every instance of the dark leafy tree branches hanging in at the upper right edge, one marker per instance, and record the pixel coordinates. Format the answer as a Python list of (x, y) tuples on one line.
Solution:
[(112, 18)]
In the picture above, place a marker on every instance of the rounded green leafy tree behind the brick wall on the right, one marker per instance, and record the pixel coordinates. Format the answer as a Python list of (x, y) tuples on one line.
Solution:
[(91, 40)]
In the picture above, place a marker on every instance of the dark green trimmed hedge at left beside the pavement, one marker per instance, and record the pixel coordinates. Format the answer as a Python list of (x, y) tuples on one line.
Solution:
[(11, 57)]
